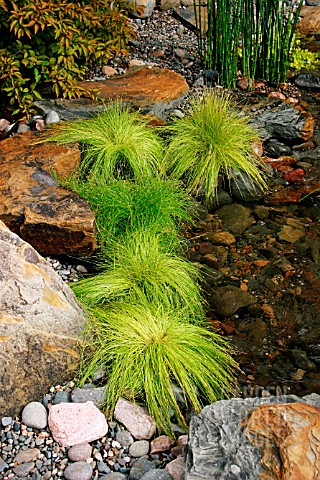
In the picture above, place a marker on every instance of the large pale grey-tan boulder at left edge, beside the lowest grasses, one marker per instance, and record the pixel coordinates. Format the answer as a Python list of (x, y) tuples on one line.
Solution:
[(40, 323)]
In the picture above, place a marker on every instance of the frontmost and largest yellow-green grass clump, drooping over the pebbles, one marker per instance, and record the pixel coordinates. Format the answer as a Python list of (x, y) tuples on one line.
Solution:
[(146, 348)]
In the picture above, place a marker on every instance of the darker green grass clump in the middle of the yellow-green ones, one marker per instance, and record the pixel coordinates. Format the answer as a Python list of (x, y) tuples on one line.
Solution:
[(123, 207)]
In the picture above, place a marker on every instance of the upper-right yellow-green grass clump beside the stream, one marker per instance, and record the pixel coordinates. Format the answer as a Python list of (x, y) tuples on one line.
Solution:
[(213, 140)]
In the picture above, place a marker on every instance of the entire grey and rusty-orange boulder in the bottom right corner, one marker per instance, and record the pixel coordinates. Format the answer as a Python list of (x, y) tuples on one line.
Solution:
[(219, 448)]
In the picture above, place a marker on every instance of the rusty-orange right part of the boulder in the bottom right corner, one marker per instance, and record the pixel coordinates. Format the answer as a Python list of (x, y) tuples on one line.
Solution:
[(289, 435)]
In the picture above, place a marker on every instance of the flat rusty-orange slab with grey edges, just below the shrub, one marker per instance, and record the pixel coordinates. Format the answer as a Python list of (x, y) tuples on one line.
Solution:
[(152, 89)]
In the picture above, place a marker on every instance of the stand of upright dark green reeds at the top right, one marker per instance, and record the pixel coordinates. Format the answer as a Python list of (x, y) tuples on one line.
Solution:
[(255, 37)]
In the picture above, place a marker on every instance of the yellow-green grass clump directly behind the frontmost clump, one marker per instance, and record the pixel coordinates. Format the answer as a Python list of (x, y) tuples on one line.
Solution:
[(143, 269)]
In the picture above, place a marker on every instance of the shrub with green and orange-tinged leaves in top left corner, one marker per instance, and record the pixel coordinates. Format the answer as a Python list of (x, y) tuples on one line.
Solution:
[(48, 43)]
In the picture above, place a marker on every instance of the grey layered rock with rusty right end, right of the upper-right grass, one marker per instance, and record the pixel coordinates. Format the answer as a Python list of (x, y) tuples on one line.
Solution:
[(285, 123)]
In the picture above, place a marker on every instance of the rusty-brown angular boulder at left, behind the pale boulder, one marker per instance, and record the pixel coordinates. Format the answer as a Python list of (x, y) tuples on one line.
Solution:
[(32, 204)]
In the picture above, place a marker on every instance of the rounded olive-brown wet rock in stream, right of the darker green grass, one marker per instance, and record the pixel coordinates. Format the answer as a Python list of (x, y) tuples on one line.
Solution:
[(235, 217)]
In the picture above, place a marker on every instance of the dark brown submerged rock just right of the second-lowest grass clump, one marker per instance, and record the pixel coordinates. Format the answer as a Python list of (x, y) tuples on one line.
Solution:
[(227, 300)]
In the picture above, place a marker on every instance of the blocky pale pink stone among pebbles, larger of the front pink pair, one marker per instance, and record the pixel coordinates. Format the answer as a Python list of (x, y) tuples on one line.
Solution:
[(75, 423)]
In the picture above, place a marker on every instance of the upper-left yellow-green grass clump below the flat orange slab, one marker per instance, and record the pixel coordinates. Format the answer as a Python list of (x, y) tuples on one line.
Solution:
[(115, 144)]
